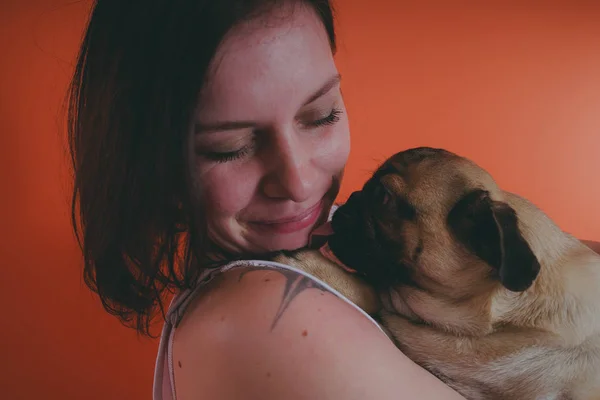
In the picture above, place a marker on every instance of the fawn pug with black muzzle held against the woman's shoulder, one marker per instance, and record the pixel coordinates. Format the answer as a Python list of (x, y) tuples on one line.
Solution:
[(475, 284)]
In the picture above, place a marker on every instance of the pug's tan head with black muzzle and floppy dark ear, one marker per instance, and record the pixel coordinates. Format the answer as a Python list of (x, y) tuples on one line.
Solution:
[(434, 221)]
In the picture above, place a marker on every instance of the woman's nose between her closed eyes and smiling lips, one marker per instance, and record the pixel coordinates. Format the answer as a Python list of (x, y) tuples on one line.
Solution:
[(292, 174)]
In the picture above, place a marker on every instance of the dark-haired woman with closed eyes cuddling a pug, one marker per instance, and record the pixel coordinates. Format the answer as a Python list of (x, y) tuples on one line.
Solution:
[(209, 131)]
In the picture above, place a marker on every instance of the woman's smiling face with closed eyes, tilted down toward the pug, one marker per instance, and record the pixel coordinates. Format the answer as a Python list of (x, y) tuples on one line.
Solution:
[(271, 138)]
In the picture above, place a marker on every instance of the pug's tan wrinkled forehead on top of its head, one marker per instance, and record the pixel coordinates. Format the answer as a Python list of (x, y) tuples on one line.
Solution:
[(433, 179)]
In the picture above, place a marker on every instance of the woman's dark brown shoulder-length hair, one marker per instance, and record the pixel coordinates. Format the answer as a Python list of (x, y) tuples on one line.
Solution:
[(130, 107)]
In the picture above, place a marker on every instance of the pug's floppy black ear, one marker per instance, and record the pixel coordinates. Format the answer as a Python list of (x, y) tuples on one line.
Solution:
[(490, 230)]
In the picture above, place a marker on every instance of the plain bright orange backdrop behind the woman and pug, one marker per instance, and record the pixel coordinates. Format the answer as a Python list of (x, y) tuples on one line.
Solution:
[(515, 87)]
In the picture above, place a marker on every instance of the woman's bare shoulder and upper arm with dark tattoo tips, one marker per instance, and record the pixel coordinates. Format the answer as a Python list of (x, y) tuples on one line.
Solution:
[(272, 334)]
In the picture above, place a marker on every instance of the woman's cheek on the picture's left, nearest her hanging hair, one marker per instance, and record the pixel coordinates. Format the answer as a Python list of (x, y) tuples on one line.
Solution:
[(225, 191)]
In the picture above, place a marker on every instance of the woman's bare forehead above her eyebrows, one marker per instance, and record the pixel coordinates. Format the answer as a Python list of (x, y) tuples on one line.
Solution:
[(268, 64)]
